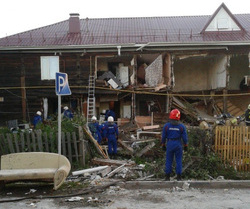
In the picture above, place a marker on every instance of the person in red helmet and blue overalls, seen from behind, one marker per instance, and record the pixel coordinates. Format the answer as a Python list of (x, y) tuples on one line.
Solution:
[(172, 135)]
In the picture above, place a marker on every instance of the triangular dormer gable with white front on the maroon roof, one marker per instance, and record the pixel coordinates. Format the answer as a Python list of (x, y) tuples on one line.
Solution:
[(222, 20)]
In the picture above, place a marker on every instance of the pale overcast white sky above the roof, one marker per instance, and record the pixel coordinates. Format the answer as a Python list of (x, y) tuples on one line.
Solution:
[(17, 16)]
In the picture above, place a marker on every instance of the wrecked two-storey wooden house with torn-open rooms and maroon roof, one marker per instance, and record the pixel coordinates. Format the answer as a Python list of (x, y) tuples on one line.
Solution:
[(131, 65)]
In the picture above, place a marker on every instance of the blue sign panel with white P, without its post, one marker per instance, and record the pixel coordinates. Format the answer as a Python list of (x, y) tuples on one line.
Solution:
[(62, 84)]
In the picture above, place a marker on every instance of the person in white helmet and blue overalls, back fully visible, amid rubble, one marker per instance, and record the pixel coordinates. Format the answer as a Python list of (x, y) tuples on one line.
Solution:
[(111, 133)]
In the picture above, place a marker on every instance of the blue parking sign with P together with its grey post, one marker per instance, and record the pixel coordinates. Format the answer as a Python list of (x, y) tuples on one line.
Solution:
[(62, 88)]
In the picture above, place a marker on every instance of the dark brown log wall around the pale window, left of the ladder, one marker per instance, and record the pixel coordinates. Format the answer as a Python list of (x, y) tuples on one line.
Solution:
[(24, 70)]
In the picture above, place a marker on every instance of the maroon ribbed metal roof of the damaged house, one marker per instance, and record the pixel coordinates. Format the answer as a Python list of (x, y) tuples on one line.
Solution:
[(119, 31)]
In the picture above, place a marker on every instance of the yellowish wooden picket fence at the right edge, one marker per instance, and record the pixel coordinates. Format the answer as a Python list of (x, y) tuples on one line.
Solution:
[(232, 143)]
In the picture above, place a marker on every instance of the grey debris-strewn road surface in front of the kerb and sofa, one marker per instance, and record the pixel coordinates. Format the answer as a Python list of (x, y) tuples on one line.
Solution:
[(117, 197)]
